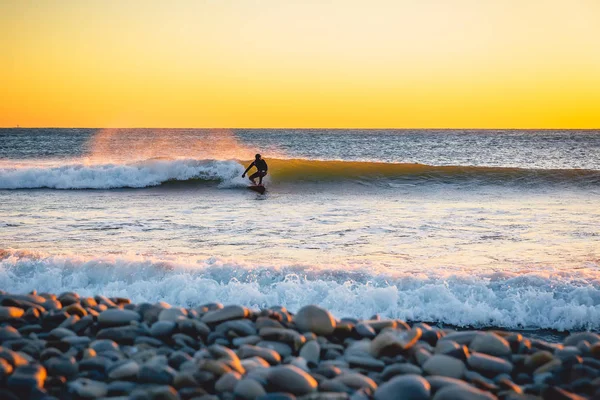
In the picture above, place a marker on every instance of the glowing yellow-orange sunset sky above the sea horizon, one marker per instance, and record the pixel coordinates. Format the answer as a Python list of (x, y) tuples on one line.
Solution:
[(300, 63)]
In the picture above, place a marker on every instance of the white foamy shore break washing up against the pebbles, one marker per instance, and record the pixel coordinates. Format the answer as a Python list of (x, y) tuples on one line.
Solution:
[(544, 298)]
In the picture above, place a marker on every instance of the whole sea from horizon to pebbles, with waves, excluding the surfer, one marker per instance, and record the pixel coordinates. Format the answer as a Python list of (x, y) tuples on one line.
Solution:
[(469, 228)]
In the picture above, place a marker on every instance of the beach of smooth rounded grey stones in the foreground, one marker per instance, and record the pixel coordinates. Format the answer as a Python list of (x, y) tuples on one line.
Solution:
[(68, 346)]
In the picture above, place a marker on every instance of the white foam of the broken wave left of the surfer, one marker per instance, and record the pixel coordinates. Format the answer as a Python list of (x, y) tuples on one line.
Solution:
[(108, 176)]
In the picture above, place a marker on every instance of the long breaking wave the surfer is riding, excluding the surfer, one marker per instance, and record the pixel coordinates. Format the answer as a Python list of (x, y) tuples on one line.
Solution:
[(157, 172)]
